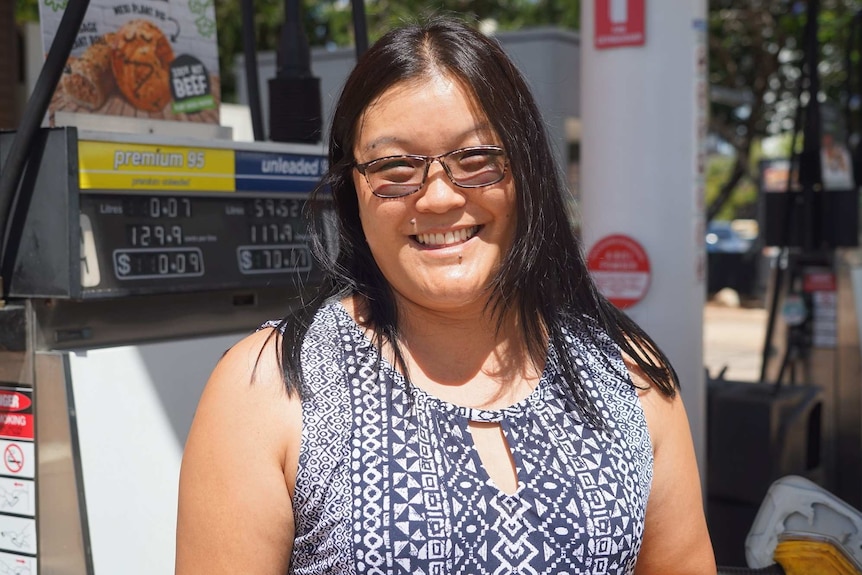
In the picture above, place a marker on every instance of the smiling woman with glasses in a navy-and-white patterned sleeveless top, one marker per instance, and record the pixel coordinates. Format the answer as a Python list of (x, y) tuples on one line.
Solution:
[(458, 397)]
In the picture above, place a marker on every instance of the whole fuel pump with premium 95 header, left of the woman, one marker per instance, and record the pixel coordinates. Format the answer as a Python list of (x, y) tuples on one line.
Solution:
[(133, 261)]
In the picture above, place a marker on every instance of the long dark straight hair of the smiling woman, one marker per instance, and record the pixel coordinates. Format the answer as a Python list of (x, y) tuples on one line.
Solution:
[(543, 279)]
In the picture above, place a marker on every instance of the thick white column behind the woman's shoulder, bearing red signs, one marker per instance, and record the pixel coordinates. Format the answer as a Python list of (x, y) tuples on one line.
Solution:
[(643, 118)]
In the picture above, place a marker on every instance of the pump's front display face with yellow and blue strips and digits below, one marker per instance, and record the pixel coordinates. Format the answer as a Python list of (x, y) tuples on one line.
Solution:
[(162, 218)]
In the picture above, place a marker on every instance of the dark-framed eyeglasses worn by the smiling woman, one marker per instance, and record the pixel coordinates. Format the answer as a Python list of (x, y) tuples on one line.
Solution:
[(399, 176)]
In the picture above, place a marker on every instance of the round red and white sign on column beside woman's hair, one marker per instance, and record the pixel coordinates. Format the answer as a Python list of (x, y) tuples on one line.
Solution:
[(620, 267)]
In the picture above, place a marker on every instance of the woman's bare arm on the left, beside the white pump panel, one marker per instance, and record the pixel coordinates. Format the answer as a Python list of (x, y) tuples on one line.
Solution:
[(238, 468)]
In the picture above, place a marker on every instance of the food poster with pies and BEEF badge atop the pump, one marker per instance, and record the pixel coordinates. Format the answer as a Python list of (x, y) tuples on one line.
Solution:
[(152, 59)]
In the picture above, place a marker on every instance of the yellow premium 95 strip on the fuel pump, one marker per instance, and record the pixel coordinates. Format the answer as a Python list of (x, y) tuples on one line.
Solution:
[(128, 166)]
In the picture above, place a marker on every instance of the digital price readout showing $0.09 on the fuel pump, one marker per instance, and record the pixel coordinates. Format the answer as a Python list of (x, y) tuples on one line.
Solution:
[(144, 263)]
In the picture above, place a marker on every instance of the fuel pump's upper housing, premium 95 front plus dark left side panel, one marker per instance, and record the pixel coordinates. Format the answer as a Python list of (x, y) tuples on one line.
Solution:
[(115, 215)]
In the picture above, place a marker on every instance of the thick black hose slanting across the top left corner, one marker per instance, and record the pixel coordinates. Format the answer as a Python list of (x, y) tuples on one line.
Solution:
[(31, 120)]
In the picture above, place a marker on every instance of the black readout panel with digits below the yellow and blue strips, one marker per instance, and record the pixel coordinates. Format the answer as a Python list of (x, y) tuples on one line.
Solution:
[(177, 243)]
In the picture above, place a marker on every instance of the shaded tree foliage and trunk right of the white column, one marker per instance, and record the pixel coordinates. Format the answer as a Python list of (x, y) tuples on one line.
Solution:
[(757, 70)]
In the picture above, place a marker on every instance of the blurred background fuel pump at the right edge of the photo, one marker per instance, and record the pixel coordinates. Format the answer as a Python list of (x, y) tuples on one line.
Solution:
[(812, 334)]
